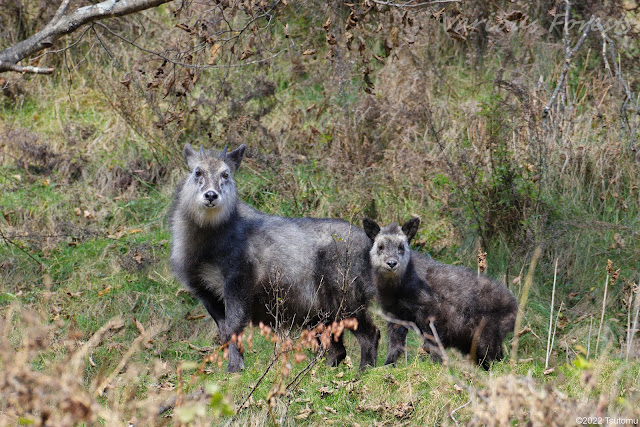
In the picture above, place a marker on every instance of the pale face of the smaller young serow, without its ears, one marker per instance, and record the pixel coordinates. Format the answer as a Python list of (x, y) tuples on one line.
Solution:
[(390, 254)]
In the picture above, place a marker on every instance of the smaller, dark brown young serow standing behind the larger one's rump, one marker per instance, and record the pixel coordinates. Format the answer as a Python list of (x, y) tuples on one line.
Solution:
[(471, 313)]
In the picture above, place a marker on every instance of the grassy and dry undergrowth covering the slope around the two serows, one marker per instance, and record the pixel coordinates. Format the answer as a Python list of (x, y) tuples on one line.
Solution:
[(445, 123)]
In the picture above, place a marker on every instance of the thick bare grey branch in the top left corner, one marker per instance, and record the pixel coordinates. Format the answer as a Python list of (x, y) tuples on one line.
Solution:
[(62, 24)]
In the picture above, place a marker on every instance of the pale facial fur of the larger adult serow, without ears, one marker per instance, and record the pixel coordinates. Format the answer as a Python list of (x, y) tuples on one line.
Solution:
[(209, 193)]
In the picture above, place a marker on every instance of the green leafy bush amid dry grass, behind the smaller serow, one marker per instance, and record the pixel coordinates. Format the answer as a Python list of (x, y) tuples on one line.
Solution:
[(499, 191)]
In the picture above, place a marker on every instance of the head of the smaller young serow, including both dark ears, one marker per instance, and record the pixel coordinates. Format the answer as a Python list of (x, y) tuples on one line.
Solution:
[(390, 253)]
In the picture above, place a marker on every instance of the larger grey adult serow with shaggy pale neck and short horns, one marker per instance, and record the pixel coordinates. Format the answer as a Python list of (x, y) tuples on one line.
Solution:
[(245, 265)]
